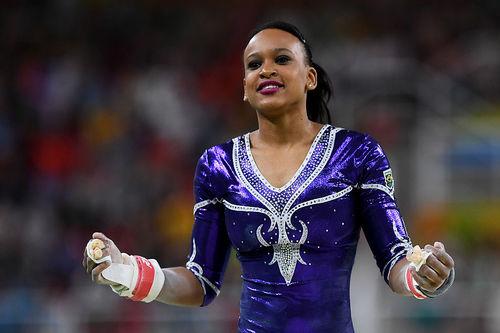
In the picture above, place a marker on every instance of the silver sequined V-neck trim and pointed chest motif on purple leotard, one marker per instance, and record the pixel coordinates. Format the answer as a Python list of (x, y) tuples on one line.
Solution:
[(279, 201)]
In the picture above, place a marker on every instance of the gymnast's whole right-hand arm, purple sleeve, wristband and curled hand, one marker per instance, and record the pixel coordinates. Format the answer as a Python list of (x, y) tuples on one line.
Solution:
[(387, 236)]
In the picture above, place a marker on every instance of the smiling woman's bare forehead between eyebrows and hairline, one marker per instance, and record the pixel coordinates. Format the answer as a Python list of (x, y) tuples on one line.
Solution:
[(271, 39)]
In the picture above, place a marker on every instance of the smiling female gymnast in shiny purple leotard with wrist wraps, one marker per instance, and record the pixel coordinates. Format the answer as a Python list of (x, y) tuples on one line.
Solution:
[(290, 198)]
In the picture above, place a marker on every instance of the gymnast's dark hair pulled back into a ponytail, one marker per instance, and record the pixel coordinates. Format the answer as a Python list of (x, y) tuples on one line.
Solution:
[(317, 99)]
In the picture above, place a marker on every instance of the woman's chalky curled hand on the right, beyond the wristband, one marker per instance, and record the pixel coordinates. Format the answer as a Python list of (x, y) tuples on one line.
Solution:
[(436, 269)]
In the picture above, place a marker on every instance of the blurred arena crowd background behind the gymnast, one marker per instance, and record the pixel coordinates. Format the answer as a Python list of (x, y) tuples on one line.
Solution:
[(105, 107)]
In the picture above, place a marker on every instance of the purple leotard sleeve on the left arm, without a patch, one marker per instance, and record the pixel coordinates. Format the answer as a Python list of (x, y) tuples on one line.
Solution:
[(210, 243)]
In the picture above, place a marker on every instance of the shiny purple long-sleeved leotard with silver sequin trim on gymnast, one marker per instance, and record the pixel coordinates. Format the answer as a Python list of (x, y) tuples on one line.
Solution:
[(296, 244)]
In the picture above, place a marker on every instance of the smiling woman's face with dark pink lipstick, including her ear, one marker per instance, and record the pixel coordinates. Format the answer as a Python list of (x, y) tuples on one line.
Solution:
[(277, 77)]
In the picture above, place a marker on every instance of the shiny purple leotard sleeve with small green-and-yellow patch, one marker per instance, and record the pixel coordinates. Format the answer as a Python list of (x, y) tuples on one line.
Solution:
[(382, 223)]
